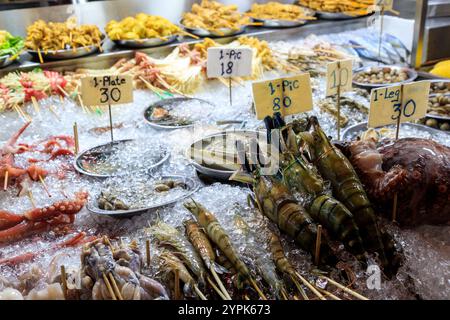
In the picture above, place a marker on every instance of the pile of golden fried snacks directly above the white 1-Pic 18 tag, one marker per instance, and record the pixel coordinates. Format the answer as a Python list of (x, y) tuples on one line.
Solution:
[(212, 15)]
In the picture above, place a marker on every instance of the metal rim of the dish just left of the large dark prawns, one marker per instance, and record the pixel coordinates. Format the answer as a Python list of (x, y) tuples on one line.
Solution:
[(212, 172)]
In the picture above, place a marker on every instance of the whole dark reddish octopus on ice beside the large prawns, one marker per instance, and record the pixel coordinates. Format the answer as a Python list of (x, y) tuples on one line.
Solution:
[(416, 170)]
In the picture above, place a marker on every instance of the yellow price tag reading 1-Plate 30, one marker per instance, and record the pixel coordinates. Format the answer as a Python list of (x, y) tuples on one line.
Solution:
[(107, 90)]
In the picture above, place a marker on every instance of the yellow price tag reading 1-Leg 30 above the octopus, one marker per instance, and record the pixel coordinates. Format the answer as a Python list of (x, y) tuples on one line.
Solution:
[(387, 106)]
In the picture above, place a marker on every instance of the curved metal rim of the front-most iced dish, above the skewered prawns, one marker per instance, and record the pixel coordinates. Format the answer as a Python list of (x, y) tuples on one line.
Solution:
[(190, 183)]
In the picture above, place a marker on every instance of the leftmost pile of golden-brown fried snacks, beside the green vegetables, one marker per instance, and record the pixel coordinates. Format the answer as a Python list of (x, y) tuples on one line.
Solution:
[(52, 36)]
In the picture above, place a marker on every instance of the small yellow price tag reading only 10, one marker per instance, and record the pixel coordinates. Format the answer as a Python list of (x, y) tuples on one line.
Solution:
[(339, 73)]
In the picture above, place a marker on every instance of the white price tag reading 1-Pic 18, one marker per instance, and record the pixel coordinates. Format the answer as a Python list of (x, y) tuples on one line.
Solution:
[(229, 62)]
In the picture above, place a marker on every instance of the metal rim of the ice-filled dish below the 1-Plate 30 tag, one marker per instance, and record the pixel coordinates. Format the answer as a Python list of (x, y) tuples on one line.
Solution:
[(92, 152)]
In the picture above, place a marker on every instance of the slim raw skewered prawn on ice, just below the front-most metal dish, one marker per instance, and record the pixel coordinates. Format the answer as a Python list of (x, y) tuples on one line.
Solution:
[(218, 235)]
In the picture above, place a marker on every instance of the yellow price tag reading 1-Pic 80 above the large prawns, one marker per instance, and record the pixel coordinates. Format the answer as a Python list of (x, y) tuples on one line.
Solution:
[(289, 95)]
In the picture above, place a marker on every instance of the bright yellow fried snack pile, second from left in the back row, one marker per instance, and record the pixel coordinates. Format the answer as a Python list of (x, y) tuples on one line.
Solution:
[(142, 26)]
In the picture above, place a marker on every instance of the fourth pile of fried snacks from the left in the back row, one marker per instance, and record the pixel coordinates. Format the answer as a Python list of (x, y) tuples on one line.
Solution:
[(279, 11)]
